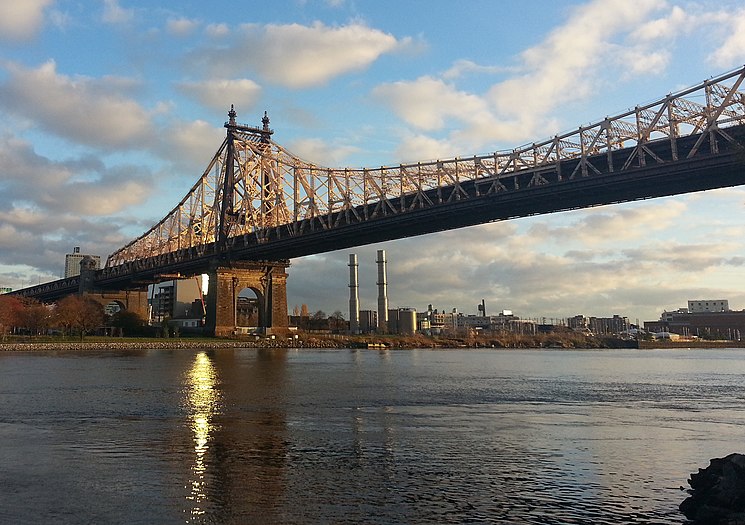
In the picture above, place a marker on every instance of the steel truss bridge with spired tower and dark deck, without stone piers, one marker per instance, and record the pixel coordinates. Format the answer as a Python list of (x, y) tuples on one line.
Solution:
[(256, 201)]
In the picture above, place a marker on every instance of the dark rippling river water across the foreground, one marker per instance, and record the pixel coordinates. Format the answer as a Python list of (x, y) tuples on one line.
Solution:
[(362, 436)]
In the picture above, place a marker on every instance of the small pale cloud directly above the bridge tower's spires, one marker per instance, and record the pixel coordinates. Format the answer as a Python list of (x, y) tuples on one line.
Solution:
[(218, 94)]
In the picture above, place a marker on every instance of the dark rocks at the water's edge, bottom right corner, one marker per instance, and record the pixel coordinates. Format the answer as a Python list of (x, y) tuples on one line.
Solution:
[(717, 494)]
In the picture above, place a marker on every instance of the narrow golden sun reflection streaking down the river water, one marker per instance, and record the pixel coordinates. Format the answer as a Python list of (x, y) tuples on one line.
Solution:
[(202, 401)]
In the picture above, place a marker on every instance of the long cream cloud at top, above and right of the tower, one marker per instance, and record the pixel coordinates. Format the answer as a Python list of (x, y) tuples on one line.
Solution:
[(298, 56)]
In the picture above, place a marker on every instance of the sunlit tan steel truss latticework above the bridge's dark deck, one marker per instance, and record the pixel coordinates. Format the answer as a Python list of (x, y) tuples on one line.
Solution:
[(272, 187)]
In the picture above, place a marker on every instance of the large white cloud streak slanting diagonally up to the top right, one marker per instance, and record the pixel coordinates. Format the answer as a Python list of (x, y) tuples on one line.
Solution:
[(565, 67)]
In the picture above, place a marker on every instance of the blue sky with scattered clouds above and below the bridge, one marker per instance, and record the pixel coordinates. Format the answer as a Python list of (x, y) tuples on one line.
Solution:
[(111, 110)]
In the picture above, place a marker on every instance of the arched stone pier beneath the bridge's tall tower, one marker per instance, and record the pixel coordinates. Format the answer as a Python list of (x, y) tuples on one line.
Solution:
[(268, 280)]
